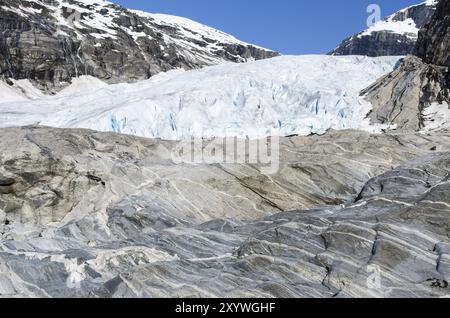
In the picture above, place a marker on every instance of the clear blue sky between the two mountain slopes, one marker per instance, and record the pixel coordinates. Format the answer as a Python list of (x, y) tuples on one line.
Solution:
[(287, 26)]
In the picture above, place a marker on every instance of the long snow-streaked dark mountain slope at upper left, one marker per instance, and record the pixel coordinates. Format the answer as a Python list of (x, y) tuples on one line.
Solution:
[(50, 42)]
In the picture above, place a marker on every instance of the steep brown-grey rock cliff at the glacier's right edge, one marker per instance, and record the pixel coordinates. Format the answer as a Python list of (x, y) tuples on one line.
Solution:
[(402, 97)]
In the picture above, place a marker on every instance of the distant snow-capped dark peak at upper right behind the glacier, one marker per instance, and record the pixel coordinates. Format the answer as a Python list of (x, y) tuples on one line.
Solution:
[(395, 35)]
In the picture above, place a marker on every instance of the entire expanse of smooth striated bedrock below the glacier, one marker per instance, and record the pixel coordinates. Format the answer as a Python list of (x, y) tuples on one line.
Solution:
[(93, 214)]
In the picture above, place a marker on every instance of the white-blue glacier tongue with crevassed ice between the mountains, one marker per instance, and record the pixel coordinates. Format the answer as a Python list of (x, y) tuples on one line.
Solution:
[(284, 95)]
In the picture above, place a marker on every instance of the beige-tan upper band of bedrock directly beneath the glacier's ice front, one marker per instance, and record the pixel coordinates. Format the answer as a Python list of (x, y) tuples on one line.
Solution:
[(47, 174)]
